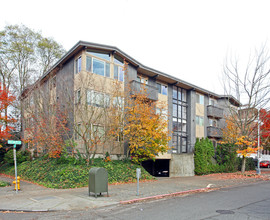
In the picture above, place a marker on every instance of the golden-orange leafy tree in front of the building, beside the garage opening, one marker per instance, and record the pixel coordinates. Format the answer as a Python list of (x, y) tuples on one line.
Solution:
[(144, 129)]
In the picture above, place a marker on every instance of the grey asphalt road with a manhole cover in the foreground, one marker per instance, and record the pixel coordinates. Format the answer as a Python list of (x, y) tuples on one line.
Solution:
[(246, 202)]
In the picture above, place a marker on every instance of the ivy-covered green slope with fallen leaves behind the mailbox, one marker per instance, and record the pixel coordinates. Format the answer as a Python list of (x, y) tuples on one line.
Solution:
[(53, 173)]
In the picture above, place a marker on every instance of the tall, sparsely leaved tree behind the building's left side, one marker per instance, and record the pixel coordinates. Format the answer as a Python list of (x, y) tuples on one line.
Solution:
[(22, 53)]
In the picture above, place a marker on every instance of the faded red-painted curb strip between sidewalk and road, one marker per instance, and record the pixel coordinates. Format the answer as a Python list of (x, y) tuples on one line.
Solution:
[(166, 195)]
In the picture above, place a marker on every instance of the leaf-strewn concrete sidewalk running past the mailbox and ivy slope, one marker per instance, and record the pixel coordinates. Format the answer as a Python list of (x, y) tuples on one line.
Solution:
[(32, 197)]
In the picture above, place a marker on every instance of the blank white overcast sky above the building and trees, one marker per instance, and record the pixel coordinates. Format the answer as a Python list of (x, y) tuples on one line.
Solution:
[(188, 39)]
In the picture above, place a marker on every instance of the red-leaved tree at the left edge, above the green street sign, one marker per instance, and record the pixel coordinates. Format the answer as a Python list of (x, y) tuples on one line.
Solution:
[(6, 99)]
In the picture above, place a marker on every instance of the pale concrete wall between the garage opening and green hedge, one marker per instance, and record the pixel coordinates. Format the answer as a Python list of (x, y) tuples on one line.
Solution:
[(182, 165)]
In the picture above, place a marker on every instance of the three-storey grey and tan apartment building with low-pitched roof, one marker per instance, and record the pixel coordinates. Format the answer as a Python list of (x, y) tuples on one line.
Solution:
[(93, 73)]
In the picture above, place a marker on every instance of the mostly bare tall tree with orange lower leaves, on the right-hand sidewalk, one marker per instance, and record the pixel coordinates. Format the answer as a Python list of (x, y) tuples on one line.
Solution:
[(250, 85)]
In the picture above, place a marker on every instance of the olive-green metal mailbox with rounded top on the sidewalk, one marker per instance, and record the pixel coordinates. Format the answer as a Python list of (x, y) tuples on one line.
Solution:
[(98, 181)]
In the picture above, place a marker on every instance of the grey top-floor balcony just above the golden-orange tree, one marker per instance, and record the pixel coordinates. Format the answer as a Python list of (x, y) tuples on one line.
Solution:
[(152, 91)]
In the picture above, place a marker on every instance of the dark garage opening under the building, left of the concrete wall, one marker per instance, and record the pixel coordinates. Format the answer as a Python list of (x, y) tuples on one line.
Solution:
[(159, 167)]
